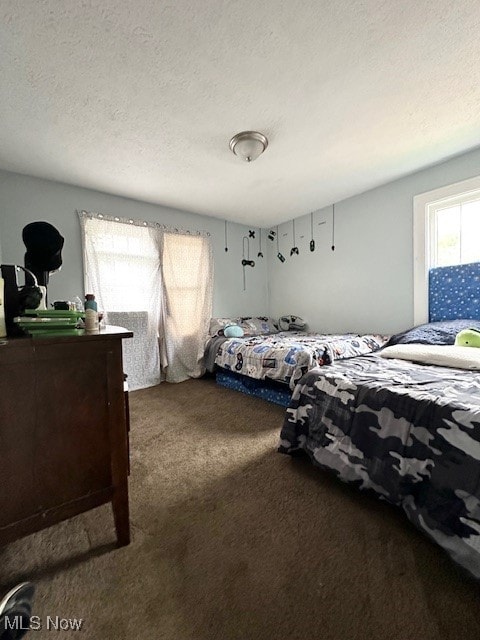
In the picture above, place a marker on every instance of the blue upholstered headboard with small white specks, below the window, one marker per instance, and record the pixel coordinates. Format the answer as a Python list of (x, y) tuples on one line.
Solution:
[(454, 292)]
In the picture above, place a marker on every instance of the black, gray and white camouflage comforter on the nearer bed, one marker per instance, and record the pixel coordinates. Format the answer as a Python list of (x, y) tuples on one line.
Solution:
[(409, 432)]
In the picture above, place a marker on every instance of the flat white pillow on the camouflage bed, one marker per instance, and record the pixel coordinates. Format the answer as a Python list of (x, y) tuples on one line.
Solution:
[(442, 355)]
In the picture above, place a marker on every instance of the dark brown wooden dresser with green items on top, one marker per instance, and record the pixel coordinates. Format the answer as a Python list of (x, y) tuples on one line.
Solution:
[(63, 431)]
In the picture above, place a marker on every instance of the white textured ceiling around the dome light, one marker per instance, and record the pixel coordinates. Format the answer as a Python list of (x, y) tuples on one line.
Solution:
[(140, 98)]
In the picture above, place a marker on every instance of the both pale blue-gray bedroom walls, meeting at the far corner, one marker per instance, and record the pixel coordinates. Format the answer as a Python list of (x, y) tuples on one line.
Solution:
[(365, 285)]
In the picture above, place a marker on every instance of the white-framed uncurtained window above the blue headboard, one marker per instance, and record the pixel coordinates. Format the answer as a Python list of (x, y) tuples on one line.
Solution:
[(446, 230)]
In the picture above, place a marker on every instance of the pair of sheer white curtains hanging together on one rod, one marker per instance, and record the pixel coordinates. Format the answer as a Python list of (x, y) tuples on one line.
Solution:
[(139, 271)]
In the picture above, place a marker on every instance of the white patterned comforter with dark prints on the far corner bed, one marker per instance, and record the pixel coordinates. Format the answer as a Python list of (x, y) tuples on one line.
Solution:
[(287, 355)]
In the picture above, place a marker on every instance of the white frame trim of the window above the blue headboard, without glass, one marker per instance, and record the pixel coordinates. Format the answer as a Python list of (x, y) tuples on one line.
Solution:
[(423, 206)]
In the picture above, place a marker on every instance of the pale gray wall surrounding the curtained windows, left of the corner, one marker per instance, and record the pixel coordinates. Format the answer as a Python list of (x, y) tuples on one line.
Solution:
[(24, 199)]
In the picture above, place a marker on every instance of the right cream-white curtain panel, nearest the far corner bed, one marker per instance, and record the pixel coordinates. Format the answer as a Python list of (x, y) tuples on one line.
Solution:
[(187, 267)]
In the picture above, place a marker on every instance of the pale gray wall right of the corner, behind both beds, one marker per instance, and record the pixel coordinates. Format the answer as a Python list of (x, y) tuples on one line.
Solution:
[(366, 284)]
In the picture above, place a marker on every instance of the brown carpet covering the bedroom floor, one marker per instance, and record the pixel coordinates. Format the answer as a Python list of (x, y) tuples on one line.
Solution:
[(232, 540)]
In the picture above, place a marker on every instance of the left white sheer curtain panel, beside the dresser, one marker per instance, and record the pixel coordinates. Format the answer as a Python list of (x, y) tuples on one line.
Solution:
[(122, 270)]
